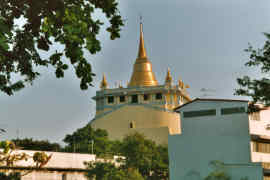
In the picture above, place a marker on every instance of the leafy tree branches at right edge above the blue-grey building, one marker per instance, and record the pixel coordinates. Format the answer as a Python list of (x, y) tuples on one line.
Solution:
[(257, 89)]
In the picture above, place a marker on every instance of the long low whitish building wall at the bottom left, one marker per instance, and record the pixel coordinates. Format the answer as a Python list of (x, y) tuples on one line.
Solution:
[(70, 165)]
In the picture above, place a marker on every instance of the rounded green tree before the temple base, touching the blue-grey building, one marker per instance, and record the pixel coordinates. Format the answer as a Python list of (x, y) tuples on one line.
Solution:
[(143, 154)]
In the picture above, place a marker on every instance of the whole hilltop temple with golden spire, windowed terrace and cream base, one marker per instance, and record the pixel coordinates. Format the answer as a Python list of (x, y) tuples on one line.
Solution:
[(142, 106)]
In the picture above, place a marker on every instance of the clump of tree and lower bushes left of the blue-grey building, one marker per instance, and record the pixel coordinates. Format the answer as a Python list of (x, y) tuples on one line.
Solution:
[(143, 160)]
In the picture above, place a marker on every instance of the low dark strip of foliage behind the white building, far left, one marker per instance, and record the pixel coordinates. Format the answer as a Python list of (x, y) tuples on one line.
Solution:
[(38, 145)]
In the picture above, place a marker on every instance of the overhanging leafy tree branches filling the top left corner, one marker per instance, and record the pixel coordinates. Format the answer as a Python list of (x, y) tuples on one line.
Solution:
[(66, 22)]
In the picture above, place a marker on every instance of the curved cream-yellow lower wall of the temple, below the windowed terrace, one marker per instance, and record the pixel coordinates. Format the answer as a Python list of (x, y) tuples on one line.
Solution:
[(153, 123)]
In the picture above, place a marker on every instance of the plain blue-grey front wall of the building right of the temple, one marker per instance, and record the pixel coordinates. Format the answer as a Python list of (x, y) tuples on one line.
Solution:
[(206, 138)]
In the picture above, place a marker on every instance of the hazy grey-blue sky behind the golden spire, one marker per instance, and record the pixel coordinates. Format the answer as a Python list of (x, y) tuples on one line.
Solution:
[(202, 42)]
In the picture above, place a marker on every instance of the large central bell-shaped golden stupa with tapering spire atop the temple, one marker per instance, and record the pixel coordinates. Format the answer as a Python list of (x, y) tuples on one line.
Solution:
[(142, 70)]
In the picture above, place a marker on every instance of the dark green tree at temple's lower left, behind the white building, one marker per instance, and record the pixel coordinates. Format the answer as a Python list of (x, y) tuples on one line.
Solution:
[(81, 141)]
